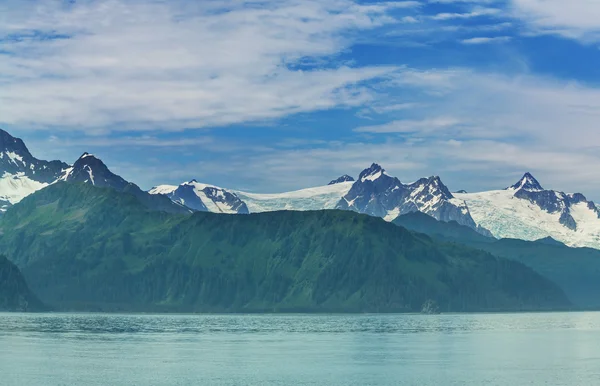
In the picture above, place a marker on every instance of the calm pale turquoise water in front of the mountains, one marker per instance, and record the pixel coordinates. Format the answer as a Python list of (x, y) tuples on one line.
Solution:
[(493, 349)]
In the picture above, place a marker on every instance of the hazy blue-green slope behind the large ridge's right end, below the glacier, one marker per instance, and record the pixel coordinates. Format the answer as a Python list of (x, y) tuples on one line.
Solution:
[(576, 270)]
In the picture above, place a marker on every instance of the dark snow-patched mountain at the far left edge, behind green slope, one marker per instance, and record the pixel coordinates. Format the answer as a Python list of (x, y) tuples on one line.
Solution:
[(21, 173)]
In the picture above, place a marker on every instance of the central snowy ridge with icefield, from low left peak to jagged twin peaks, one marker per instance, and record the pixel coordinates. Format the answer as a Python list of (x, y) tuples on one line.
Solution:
[(375, 193)]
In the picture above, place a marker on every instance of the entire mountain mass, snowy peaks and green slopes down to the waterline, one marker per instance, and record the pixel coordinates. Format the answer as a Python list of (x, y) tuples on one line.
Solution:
[(84, 238)]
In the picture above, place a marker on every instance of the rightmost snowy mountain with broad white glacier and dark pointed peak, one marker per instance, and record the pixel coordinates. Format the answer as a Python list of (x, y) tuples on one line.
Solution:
[(527, 211)]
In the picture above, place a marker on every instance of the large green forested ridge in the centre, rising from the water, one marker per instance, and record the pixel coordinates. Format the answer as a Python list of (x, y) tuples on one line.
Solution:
[(89, 248)]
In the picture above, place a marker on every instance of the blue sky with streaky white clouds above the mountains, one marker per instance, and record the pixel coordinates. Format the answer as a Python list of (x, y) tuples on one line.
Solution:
[(269, 96)]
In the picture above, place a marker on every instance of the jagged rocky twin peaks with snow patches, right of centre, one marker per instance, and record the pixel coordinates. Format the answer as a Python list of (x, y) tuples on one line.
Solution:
[(378, 194)]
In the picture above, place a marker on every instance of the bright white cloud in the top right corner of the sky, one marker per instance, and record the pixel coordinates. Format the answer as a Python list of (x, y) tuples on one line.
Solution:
[(575, 19)]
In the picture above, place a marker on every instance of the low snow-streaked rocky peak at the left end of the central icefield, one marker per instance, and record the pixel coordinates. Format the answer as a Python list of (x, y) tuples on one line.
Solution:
[(203, 198)]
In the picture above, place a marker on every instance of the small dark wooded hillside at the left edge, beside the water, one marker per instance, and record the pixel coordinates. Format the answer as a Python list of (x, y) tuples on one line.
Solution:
[(14, 292)]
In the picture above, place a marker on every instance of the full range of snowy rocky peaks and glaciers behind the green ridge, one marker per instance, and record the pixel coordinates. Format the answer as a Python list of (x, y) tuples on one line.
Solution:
[(524, 210)]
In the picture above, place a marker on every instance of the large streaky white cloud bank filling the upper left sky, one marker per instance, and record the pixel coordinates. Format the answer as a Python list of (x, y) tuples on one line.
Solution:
[(135, 64)]
